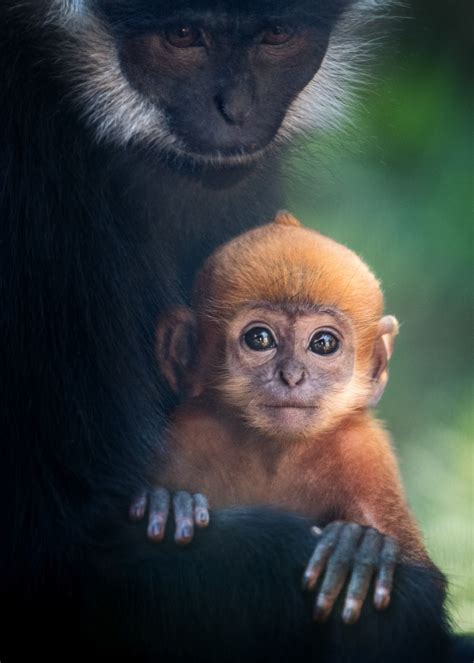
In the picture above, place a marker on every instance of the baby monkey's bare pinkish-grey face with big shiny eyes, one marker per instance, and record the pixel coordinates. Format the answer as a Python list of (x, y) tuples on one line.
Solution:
[(289, 367)]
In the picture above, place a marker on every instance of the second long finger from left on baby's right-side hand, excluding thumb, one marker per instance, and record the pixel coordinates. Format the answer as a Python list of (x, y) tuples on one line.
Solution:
[(337, 570)]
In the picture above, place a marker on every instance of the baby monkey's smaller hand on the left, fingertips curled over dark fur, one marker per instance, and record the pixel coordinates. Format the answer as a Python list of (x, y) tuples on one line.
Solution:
[(189, 511)]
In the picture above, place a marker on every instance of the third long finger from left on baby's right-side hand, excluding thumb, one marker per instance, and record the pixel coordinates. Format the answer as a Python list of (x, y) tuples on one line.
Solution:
[(365, 563)]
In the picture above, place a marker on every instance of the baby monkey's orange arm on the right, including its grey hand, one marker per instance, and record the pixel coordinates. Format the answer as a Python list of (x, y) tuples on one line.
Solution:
[(377, 529)]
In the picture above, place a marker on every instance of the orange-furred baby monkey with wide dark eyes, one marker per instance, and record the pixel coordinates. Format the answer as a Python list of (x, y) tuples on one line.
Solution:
[(277, 362)]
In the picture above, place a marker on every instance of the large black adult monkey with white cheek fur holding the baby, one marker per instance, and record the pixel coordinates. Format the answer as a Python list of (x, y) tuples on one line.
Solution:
[(130, 143)]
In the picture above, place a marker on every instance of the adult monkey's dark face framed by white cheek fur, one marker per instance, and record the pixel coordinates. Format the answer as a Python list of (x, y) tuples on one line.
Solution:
[(213, 81)]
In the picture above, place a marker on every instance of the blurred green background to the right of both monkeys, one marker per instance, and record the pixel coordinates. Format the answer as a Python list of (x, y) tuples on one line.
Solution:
[(396, 187)]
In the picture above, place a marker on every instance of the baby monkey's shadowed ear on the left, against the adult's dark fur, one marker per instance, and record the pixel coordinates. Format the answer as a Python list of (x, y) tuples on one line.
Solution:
[(175, 347)]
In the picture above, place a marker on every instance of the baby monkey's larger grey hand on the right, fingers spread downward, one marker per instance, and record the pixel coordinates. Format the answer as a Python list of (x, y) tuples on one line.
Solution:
[(346, 550)]
